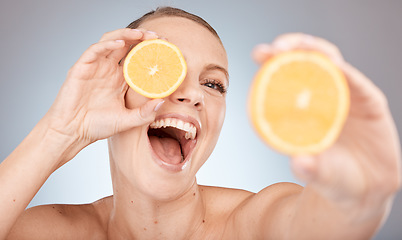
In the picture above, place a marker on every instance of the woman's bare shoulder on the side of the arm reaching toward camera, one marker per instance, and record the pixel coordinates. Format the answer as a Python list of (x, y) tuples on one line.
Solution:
[(264, 211)]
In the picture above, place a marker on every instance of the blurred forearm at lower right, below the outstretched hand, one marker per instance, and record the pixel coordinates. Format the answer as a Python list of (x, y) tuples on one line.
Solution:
[(317, 218)]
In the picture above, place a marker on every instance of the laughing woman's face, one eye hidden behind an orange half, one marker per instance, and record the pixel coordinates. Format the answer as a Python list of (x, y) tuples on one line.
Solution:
[(162, 161)]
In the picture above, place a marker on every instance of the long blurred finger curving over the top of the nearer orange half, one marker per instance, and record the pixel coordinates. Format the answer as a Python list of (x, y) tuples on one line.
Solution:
[(295, 41)]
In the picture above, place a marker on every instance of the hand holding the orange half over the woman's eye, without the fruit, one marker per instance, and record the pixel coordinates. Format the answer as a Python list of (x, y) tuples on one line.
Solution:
[(90, 105)]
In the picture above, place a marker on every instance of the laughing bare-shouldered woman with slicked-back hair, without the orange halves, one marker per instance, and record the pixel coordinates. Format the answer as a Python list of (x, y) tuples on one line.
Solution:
[(155, 191)]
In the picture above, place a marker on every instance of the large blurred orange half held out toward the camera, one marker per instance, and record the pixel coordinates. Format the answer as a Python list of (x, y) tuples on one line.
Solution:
[(298, 102)]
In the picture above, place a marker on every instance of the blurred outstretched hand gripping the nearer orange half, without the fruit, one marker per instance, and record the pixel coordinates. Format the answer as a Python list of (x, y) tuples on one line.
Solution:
[(362, 169)]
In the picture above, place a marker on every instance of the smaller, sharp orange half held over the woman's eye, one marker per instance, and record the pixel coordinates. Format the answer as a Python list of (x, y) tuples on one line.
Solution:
[(154, 68)]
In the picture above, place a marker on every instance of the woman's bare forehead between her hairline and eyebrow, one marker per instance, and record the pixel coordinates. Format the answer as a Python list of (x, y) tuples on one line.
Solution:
[(193, 39)]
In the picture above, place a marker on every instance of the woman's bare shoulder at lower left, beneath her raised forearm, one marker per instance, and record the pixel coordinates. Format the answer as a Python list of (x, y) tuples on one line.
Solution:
[(62, 221)]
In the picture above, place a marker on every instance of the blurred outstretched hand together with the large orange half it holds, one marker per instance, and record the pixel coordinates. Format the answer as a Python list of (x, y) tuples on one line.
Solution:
[(299, 104)]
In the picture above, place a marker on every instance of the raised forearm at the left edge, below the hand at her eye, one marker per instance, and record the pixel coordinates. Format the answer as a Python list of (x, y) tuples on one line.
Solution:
[(26, 169)]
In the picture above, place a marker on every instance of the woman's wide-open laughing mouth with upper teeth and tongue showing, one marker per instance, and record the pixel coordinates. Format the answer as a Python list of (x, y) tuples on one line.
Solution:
[(172, 141)]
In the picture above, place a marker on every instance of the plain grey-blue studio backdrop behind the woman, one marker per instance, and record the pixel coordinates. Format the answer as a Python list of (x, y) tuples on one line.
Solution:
[(40, 41)]
